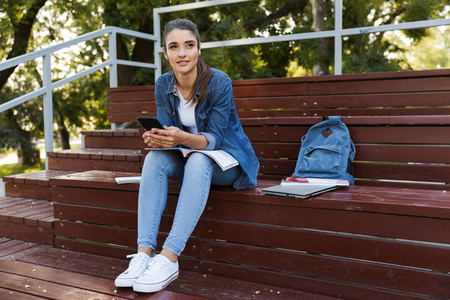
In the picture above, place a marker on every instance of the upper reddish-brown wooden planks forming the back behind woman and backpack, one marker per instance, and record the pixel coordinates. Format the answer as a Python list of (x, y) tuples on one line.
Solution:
[(399, 121)]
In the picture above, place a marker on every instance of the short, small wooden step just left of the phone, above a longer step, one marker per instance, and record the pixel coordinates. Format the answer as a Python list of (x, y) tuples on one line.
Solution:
[(113, 139)]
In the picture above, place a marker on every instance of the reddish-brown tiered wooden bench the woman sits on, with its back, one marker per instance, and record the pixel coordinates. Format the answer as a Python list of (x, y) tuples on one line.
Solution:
[(386, 237)]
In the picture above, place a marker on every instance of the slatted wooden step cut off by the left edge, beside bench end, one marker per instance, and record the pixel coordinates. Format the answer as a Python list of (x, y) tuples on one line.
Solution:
[(27, 219)]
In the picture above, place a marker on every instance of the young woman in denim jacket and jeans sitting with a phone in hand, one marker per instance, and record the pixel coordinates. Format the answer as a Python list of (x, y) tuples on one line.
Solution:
[(195, 105)]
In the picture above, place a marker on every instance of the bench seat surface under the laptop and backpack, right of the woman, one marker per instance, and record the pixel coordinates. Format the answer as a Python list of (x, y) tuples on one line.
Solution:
[(424, 203)]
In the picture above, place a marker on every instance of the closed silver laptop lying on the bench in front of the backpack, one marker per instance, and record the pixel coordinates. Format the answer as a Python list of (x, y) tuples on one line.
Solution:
[(298, 190)]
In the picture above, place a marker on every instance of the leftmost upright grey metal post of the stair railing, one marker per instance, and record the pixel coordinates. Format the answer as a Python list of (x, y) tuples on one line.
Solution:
[(48, 106)]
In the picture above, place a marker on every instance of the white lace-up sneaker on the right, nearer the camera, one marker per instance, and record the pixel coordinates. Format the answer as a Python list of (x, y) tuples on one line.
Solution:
[(161, 271)]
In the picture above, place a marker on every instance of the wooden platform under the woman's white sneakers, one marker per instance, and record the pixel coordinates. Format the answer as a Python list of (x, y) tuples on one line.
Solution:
[(55, 270)]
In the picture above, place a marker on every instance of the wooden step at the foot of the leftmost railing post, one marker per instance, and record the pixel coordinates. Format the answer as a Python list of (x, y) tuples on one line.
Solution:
[(121, 160)]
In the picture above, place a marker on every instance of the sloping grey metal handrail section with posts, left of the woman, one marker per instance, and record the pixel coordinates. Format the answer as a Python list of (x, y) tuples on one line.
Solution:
[(49, 86)]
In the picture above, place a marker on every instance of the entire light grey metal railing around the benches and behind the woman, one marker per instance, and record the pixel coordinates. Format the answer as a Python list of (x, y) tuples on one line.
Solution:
[(46, 90)]
